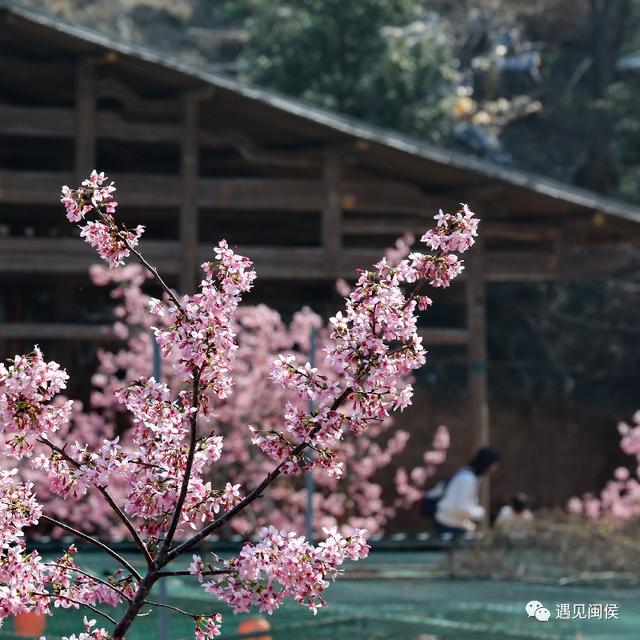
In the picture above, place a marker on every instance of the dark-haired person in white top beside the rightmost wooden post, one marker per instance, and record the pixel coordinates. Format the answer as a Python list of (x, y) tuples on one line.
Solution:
[(458, 511)]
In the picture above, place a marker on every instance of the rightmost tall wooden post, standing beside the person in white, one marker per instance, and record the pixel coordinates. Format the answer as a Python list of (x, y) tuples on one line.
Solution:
[(477, 361)]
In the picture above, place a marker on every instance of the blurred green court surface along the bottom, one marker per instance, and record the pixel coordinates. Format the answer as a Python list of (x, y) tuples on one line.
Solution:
[(397, 595)]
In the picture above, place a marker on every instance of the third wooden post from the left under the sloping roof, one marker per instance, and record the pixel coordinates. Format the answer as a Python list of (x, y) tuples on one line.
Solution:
[(332, 213)]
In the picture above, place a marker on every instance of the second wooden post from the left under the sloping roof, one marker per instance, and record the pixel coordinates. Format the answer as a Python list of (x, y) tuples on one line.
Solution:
[(189, 205)]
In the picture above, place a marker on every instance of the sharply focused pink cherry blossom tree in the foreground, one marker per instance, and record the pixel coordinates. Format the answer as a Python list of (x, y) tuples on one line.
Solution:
[(170, 507)]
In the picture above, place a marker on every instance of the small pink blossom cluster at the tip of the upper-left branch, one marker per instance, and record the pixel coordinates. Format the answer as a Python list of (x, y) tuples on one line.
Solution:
[(113, 242)]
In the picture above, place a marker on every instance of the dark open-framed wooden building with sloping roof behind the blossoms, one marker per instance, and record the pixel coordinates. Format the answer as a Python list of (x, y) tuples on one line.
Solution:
[(309, 195)]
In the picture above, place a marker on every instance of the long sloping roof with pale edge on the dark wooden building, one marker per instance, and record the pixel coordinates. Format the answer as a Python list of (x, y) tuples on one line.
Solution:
[(275, 121)]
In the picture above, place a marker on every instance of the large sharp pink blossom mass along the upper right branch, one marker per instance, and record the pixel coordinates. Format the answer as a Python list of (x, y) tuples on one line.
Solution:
[(373, 346)]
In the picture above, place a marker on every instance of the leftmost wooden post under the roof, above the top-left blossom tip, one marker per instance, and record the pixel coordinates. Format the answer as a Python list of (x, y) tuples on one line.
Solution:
[(85, 120)]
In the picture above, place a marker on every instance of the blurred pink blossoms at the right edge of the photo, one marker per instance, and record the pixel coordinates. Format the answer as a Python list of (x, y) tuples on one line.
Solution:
[(619, 501)]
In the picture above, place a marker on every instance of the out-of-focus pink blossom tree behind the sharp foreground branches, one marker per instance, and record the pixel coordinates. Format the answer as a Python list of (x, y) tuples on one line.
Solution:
[(355, 500)]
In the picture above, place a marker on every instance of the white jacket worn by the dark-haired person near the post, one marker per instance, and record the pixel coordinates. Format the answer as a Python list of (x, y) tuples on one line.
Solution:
[(459, 506)]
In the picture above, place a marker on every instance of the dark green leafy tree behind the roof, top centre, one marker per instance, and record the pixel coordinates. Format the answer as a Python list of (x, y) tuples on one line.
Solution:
[(380, 60)]
